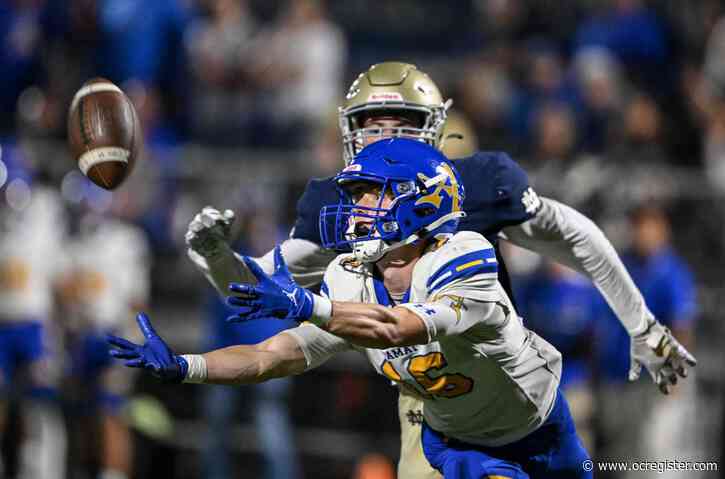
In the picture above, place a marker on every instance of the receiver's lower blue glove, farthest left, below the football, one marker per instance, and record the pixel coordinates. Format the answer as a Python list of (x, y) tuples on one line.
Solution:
[(154, 355)]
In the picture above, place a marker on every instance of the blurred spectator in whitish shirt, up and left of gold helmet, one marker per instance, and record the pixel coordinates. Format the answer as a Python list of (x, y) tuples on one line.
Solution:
[(301, 69)]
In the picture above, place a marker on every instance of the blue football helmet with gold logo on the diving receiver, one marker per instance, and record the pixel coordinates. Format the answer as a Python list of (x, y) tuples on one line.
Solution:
[(426, 196)]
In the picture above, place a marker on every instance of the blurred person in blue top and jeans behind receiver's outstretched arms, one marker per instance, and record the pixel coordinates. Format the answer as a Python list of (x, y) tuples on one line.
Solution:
[(267, 403)]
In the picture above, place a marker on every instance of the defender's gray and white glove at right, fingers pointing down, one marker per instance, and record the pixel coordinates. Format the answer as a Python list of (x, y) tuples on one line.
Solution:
[(661, 354)]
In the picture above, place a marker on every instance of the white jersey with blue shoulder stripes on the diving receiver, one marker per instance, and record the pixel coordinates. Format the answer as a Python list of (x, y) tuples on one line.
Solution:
[(484, 378)]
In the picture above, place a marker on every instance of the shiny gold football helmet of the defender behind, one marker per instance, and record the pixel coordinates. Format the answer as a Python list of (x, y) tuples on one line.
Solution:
[(396, 90)]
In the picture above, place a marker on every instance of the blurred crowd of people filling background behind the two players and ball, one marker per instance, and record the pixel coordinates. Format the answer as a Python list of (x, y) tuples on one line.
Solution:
[(616, 107)]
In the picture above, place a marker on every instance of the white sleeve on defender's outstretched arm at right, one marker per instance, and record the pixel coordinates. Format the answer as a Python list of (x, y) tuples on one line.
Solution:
[(565, 235)]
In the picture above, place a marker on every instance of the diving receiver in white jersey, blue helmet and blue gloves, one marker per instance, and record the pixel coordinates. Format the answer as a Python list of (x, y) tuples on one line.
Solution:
[(490, 386)]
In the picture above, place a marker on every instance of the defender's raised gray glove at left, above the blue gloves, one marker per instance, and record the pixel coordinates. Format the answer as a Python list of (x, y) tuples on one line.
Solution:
[(209, 232)]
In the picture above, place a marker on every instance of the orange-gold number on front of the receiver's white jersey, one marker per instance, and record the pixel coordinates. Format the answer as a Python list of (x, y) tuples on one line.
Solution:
[(421, 367)]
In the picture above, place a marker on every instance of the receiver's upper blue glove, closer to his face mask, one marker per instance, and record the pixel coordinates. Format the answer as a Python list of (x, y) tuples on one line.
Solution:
[(273, 296)]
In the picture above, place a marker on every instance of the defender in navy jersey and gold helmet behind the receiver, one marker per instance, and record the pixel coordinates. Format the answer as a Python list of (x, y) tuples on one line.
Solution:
[(397, 100)]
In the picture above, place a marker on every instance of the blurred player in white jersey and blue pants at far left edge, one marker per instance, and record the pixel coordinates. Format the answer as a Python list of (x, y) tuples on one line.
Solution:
[(32, 232)]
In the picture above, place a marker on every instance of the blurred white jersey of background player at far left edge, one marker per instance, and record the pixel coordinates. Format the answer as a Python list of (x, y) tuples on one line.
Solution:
[(31, 257)]
